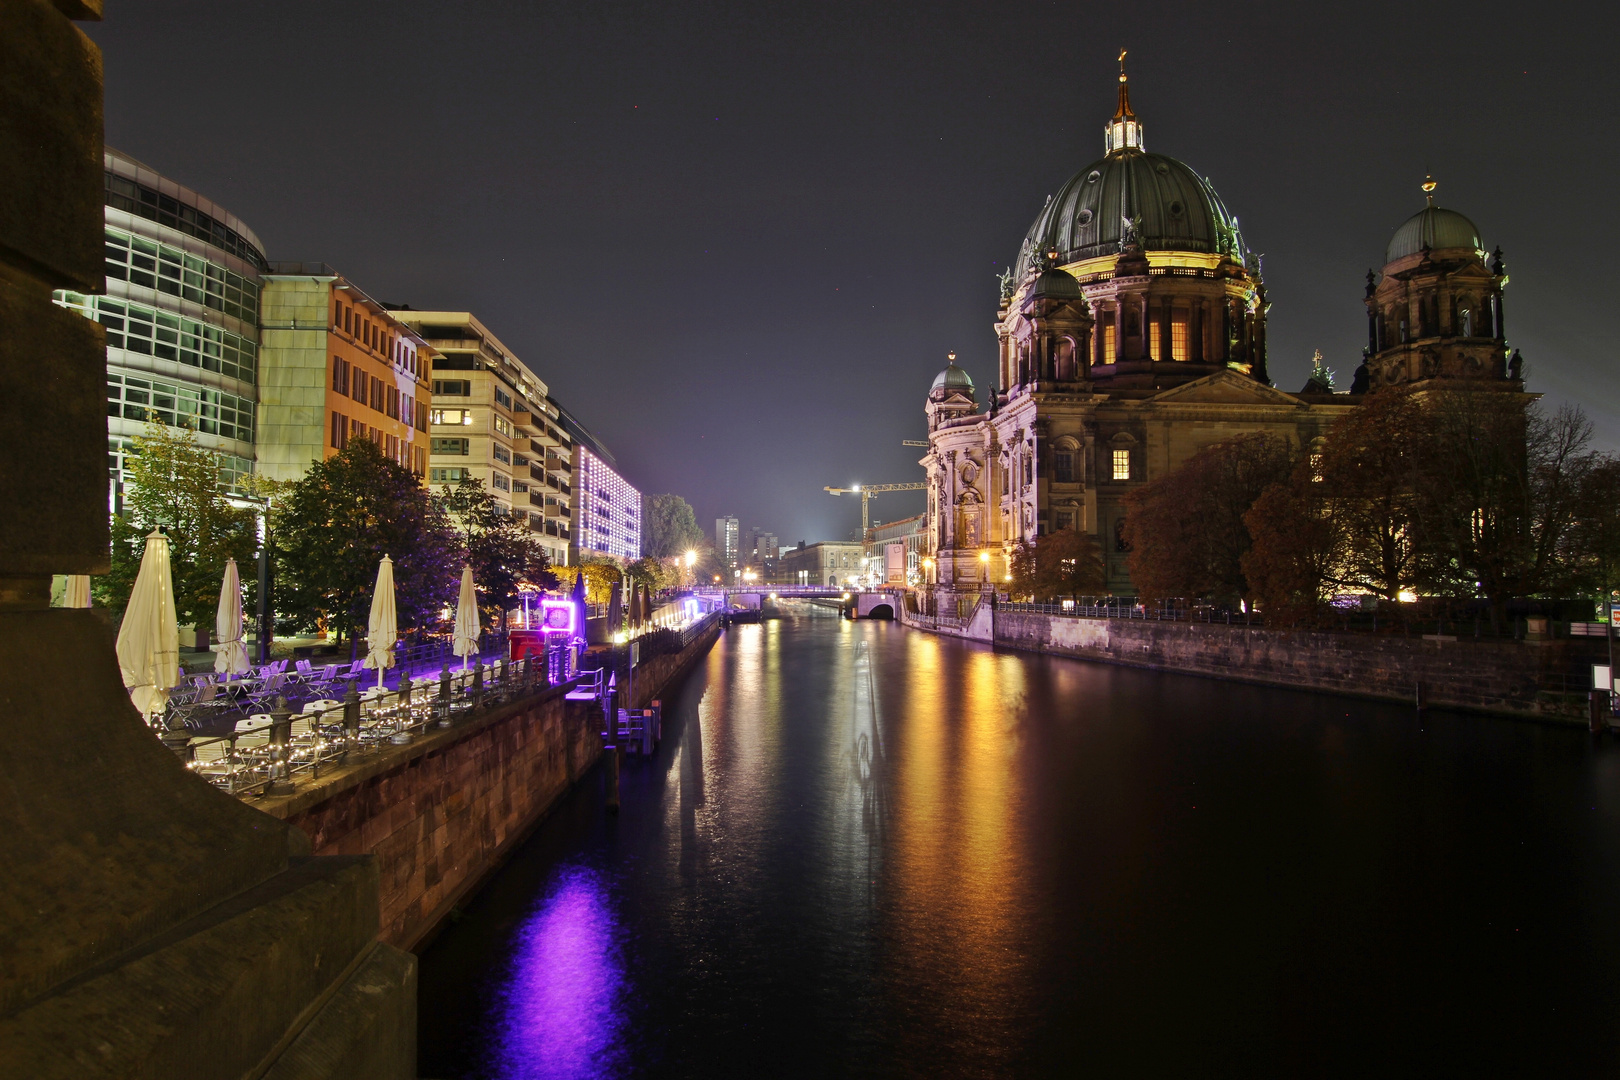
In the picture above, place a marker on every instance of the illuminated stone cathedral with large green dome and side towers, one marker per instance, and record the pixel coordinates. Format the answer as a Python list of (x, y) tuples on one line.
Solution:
[(1133, 334)]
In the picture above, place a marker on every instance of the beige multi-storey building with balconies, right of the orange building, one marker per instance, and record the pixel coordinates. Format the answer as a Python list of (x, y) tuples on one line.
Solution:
[(495, 423)]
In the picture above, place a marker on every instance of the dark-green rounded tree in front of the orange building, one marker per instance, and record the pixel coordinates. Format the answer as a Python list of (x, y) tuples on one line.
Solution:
[(333, 530)]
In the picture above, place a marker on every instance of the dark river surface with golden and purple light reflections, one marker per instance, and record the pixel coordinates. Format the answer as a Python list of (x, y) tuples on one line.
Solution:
[(866, 851)]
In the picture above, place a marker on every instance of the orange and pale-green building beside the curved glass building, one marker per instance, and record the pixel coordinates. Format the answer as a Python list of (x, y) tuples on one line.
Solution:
[(336, 367)]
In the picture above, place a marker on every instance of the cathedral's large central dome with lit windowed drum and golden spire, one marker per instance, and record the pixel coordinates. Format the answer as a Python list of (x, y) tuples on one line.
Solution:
[(1169, 292)]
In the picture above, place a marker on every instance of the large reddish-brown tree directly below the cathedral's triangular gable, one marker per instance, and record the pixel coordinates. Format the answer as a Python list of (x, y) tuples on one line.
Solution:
[(1187, 530)]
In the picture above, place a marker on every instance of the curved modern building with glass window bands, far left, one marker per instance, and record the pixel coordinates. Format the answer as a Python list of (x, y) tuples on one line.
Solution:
[(182, 312)]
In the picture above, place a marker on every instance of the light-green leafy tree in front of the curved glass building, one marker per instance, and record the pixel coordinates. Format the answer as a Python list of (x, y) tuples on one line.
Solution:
[(174, 483)]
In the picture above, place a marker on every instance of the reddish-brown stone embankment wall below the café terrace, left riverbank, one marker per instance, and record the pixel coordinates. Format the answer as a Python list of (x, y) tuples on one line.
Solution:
[(443, 812)]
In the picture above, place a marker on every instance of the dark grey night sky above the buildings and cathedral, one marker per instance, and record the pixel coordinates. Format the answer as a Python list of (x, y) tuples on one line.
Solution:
[(738, 240)]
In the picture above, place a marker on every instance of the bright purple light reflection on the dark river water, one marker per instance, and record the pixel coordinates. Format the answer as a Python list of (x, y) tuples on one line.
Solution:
[(563, 1006)]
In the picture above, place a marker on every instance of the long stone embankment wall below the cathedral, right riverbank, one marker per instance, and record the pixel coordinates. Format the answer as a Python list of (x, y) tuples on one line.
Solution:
[(1527, 679)]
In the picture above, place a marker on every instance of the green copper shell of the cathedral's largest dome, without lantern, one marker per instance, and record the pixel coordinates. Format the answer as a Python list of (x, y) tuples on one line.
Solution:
[(1172, 208)]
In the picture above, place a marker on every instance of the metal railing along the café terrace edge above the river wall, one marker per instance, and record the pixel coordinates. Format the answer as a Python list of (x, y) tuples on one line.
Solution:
[(268, 757)]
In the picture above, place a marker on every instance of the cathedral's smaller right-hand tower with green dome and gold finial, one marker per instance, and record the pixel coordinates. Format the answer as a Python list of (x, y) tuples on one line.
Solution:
[(1436, 310)]
